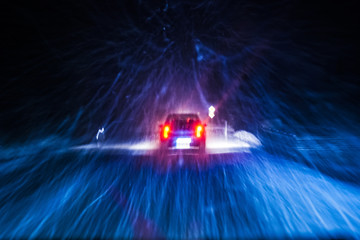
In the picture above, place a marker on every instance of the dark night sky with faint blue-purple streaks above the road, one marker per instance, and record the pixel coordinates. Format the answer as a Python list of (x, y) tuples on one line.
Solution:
[(296, 61)]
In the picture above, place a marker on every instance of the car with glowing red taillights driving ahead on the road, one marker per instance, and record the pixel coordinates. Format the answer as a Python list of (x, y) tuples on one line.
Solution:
[(183, 131)]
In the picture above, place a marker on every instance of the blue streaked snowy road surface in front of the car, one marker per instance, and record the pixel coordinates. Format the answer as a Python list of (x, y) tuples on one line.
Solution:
[(96, 194)]
